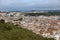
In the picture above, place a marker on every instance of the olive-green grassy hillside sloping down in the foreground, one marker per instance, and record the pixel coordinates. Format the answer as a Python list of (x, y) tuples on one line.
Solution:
[(10, 32)]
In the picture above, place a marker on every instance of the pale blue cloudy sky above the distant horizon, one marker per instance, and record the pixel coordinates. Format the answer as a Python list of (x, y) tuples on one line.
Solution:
[(29, 4)]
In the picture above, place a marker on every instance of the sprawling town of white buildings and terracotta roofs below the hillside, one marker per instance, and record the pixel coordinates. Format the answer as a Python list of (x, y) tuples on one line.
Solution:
[(47, 26)]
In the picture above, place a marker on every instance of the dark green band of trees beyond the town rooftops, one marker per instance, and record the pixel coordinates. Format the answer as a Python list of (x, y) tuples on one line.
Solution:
[(45, 14)]
